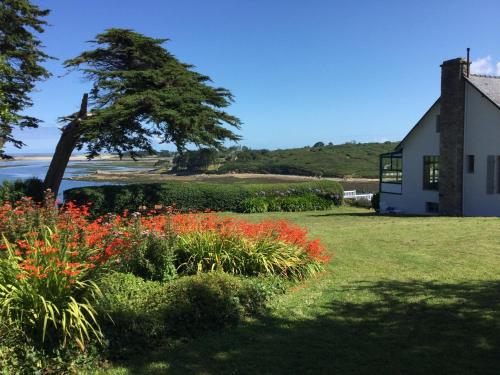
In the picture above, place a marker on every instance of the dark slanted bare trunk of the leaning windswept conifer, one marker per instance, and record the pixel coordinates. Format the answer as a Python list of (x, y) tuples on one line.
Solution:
[(64, 149)]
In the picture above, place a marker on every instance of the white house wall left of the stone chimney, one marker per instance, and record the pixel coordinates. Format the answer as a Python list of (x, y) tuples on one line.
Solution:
[(423, 140)]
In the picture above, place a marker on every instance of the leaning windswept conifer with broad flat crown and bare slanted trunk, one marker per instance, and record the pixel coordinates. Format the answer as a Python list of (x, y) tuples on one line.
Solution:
[(140, 92)]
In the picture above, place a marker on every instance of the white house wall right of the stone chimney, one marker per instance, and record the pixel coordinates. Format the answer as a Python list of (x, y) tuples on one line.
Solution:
[(482, 138)]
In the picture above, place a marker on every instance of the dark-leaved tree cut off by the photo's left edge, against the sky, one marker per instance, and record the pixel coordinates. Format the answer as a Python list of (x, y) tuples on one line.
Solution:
[(21, 56)]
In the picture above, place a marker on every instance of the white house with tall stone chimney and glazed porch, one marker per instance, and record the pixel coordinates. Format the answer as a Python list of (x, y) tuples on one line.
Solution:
[(449, 163)]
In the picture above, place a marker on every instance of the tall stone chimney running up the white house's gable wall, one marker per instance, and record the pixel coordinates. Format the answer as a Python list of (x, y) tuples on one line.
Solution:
[(451, 148)]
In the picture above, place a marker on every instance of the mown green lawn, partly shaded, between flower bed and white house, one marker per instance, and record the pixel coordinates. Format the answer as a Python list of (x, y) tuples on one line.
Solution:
[(401, 296)]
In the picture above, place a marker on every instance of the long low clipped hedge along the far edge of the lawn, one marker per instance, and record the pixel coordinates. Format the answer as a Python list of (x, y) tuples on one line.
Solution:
[(189, 196)]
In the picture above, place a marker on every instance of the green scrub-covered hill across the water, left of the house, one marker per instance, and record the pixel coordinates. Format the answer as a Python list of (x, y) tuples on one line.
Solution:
[(349, 159)]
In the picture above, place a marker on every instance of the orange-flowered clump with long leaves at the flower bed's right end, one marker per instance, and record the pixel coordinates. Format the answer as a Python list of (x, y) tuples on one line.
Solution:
[(241, 248)]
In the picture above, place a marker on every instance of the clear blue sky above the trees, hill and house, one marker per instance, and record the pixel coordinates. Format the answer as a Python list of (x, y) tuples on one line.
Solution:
[(301, 71)]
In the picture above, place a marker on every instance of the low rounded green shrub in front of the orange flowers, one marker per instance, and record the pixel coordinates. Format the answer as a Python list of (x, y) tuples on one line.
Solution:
[(142, 313)]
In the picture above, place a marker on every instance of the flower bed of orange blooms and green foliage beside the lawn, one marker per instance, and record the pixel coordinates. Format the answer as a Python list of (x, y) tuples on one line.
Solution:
[(53, 261)]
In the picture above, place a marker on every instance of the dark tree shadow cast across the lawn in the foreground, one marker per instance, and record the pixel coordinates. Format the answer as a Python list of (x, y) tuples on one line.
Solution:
[(393, 328)]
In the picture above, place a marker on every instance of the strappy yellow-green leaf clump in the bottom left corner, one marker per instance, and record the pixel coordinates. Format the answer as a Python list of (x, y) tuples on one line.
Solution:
[(52, 309)]
